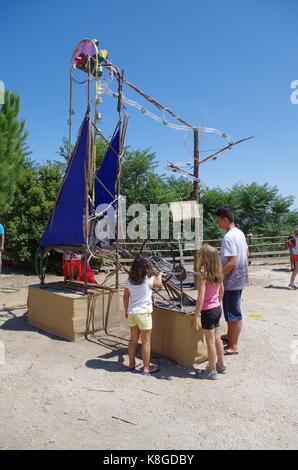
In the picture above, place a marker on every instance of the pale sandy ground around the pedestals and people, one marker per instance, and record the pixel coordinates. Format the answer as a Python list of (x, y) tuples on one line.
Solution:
[(57, 394)]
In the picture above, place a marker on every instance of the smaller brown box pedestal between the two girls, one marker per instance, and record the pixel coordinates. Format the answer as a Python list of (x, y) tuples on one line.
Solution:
[(174, 337)]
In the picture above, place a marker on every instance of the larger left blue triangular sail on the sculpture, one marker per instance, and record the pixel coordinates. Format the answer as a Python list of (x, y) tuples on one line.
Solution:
[(66, 223)]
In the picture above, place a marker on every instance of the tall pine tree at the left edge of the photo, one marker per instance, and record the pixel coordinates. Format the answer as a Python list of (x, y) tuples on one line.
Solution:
[(13, 149)]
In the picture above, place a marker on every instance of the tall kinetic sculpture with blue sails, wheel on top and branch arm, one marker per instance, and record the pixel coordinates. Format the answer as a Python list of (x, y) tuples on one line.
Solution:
[(84, 191)]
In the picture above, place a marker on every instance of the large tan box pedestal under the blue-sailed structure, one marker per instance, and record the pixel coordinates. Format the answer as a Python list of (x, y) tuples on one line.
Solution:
[(68, 313)]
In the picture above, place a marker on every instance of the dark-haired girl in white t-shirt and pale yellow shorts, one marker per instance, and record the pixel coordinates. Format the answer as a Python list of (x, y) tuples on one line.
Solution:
[(138, 308)]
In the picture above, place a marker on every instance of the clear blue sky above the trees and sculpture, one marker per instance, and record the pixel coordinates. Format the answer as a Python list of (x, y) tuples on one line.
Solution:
[(223, 64)]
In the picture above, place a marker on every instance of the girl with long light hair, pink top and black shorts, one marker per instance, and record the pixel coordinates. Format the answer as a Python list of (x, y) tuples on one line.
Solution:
[(208, 306)]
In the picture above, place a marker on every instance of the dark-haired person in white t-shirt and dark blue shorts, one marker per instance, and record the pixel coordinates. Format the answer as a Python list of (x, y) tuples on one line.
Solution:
[(234, 258)]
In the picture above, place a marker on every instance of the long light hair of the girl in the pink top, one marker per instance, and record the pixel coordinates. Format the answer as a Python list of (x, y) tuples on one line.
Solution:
[(210, 265)]
